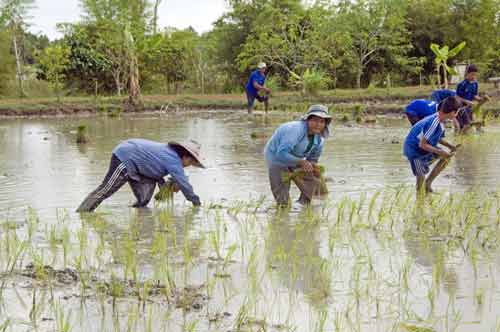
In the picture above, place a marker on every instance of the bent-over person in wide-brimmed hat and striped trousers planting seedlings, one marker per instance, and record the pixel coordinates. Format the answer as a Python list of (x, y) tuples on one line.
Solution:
[(143, 164)]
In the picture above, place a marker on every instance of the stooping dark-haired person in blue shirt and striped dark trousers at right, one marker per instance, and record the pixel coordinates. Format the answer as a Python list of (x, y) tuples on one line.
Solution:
[(420, 146)]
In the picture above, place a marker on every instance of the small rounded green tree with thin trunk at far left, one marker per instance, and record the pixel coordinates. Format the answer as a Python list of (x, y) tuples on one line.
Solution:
[(54, 61)]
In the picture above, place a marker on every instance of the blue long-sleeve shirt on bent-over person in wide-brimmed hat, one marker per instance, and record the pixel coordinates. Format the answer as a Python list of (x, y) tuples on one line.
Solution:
[(154, 160)]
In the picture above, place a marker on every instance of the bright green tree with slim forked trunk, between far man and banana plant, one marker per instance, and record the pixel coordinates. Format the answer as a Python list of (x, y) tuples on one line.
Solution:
[(374, 26)]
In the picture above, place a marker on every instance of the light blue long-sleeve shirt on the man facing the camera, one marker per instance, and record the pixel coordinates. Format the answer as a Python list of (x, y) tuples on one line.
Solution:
[(289, 143)]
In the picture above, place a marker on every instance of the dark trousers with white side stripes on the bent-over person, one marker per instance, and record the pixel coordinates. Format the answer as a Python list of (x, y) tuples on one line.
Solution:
[(115, 178)]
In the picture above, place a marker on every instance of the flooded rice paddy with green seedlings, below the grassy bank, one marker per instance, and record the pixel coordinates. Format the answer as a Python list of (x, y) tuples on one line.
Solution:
[(369, 258)]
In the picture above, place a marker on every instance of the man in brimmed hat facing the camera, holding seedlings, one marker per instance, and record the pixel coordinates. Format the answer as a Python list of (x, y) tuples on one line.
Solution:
[(297, 144)]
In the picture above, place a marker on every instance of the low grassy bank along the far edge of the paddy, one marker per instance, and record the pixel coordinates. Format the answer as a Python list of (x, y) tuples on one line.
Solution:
[(371, 100)]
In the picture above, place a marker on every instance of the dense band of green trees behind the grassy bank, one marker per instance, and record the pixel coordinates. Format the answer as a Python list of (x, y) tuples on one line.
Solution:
[(117, 45)]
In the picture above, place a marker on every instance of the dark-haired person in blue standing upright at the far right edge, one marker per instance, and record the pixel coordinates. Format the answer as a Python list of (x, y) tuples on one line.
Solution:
[(467, 90)]
